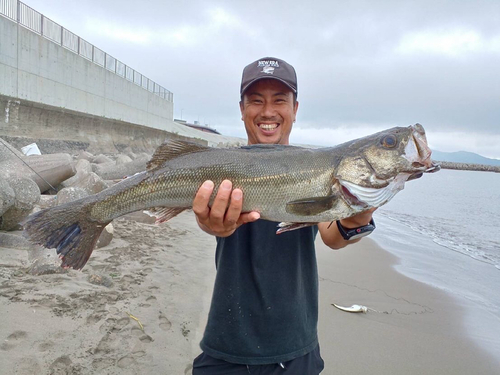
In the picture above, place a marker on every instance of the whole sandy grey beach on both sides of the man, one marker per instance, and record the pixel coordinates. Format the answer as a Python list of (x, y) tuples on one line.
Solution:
[(140, 304)]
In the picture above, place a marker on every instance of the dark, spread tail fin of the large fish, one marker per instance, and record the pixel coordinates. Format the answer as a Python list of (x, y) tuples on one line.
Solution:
[(65, 228)]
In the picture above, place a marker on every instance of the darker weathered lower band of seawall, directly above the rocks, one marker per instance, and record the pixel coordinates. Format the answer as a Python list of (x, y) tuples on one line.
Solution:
[(56, 129)]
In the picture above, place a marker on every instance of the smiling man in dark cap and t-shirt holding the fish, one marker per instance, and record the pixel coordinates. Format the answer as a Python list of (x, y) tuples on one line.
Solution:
[(264, 311)]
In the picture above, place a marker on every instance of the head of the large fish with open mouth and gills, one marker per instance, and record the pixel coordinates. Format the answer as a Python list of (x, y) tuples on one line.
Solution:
[(376, 167)]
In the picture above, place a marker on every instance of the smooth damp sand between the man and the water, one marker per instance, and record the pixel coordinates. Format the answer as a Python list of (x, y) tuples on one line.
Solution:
[(414, 329)]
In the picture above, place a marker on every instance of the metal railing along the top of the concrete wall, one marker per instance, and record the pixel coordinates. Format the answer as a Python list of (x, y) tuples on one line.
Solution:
[(38, 23)]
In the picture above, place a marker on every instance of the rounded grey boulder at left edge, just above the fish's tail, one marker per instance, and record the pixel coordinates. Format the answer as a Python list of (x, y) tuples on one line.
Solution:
[(27, 195)]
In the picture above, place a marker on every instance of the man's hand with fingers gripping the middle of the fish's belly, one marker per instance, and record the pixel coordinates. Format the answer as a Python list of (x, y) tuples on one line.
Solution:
[(225, 216)]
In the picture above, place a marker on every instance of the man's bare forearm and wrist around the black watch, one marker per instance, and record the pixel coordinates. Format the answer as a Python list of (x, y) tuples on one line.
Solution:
[(330, 233)]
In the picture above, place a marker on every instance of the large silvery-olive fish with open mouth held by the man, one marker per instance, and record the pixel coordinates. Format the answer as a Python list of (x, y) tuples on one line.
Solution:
[(292, 185)]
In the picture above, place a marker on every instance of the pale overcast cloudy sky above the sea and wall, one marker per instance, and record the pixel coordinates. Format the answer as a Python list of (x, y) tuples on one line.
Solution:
[(362, 66)]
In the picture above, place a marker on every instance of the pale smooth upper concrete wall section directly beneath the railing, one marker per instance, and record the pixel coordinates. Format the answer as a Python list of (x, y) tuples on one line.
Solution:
[(34, 68)]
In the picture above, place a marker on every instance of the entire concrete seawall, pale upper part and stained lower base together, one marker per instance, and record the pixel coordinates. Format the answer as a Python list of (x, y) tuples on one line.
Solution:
[(49, 93)]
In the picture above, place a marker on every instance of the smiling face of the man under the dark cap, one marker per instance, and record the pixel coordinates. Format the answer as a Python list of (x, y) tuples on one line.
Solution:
[(269, 111)]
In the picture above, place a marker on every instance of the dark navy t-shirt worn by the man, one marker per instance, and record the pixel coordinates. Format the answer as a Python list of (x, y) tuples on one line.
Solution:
[(265, 302)]
